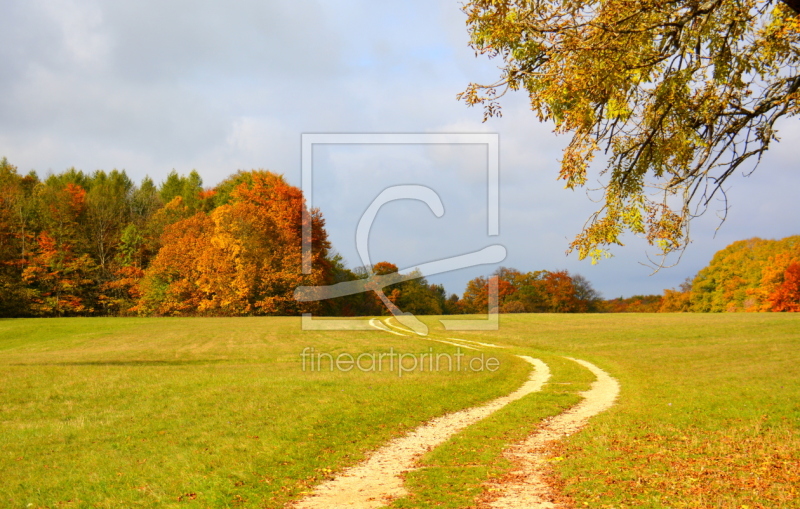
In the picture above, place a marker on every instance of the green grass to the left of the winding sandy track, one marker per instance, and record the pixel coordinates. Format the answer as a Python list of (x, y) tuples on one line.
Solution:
[(212, 412)]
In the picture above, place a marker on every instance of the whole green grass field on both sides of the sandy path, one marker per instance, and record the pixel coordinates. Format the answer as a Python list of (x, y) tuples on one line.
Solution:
[(220, 413)]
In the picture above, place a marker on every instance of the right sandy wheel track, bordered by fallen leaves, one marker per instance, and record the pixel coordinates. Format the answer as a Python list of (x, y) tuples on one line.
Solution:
[(525, 488)]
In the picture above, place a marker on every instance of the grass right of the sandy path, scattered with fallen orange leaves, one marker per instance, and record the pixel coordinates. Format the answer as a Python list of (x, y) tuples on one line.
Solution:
[(708, 415)]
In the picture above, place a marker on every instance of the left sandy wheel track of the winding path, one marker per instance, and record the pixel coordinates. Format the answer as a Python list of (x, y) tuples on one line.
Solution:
[(376, 481)]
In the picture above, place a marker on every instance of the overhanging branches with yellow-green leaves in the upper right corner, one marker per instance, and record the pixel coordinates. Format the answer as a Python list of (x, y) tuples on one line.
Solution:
[(677, 94)]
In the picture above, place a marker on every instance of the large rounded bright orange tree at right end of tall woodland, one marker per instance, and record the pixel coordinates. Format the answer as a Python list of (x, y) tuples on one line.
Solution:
[(243, 258)]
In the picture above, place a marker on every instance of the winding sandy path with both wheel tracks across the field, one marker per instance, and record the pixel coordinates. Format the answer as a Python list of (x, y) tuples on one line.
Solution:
[(376, 481)]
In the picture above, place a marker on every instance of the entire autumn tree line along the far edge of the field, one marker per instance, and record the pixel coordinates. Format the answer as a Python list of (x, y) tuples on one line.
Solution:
[(78, 244)]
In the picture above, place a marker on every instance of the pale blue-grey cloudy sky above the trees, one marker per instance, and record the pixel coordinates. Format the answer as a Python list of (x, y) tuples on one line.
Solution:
[(151, 86)]
